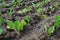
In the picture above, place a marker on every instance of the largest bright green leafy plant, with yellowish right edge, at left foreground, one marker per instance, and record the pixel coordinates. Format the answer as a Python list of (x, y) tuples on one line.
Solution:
[(17, 25)]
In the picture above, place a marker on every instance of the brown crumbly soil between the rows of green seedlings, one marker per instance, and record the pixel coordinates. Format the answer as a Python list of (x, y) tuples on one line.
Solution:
[(35, 29)]
